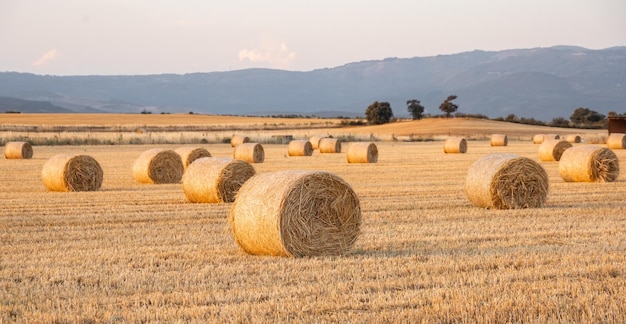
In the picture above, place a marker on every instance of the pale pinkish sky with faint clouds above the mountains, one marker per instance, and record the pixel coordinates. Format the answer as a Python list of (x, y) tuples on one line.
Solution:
[(130, 37)]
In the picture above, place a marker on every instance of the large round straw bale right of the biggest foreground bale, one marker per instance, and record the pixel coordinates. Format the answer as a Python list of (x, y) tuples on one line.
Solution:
[(506, 181)]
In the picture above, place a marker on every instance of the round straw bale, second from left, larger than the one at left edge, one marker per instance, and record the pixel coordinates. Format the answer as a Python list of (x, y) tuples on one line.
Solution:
[(67, 172)]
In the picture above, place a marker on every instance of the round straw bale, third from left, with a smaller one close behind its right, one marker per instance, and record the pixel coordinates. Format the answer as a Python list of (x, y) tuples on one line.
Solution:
[(158, 166)]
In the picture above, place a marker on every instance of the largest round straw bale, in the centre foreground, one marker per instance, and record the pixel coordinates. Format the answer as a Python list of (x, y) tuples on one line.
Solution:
[(296, 213)]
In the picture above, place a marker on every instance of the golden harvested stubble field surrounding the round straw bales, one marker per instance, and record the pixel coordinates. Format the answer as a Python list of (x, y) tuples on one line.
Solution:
[(134, 252)]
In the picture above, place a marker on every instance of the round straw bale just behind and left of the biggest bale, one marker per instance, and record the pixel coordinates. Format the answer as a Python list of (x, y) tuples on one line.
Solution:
[(215, 180)]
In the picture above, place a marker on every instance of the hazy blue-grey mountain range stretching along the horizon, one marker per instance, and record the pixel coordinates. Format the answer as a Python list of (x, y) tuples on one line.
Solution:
[(541, 83)]
